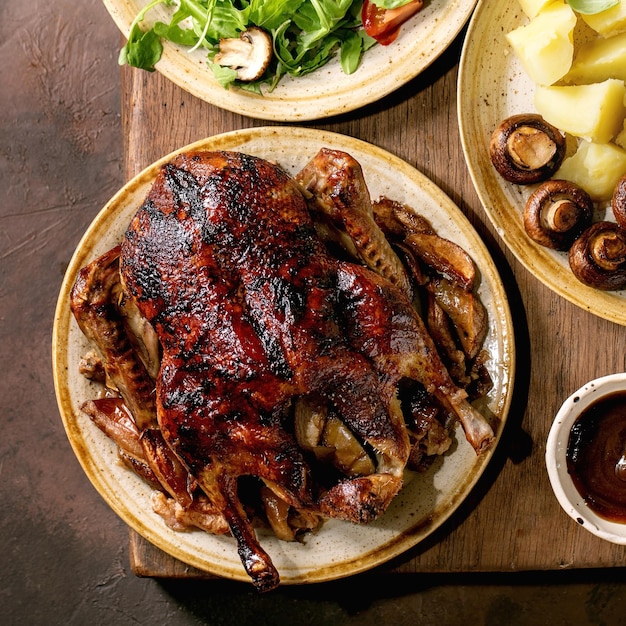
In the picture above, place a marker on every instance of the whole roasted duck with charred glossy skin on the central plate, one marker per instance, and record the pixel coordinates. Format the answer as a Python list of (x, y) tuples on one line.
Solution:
[(271, 349)]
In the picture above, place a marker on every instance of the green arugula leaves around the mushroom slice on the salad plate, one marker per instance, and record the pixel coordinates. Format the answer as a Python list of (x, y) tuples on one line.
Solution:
[(303, 35)]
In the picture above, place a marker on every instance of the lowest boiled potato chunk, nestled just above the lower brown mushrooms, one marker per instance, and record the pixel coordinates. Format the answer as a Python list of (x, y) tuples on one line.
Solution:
[(596, 168)]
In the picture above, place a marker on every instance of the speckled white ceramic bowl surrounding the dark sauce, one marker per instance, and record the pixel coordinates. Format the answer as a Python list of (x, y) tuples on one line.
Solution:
[(556, 449)]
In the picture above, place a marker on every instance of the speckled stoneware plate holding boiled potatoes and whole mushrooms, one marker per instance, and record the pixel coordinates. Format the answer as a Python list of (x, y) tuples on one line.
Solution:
[(492, 86)]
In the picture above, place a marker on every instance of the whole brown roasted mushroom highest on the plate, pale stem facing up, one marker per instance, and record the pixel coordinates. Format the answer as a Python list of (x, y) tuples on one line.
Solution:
[(526, 149)]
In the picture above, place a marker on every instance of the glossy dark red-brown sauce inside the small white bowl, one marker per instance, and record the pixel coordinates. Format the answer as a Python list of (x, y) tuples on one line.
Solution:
[(596, 443)]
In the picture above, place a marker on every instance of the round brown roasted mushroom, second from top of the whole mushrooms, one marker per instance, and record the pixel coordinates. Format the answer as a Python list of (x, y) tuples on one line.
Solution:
[(556, 213)]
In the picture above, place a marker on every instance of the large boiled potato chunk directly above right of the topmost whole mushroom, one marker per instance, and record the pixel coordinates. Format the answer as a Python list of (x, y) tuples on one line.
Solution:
[(594, 112)]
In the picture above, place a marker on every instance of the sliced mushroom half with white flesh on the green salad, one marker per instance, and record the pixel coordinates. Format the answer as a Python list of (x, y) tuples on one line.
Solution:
[(249, 55)]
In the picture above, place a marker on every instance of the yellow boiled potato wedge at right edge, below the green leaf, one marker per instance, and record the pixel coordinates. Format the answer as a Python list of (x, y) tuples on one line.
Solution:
[(598, 60)]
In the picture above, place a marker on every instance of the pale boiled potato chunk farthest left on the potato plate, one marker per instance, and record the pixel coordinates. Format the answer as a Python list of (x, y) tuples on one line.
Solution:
[(545, 46)]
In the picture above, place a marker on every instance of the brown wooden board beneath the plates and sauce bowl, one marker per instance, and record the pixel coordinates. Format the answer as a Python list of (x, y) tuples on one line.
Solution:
[(511, 521)]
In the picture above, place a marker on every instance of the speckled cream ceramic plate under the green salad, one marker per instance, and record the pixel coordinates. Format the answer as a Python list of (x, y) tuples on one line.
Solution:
[(323, 93)]
